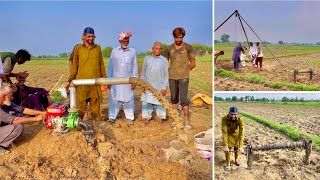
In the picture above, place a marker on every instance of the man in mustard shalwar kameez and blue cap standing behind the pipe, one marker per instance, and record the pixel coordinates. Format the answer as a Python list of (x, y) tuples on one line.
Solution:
[(88, 63)]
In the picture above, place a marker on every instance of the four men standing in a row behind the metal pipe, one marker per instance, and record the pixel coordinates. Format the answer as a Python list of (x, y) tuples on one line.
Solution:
[(87, 63)]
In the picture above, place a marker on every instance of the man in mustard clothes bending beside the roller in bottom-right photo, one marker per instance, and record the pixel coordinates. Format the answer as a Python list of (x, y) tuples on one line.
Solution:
[(233, 134)]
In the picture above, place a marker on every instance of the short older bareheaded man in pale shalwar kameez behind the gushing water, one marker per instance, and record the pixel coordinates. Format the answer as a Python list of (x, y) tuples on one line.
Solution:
[(155, 72)]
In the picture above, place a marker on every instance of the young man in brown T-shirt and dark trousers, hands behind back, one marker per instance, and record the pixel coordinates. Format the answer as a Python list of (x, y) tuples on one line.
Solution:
[(182, 60)]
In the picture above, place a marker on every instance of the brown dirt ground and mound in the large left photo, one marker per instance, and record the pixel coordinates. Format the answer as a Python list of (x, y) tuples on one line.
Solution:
[(122, 151)]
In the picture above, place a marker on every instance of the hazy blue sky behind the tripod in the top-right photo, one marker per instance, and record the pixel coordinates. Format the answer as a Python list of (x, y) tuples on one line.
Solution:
[(289, 21)]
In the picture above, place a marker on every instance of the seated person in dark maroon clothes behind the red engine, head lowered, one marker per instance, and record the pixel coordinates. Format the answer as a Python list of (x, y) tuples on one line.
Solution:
[(30, 97)]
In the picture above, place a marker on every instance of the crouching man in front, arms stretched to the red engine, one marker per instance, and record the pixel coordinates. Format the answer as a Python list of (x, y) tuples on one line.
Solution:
[(11, 125)]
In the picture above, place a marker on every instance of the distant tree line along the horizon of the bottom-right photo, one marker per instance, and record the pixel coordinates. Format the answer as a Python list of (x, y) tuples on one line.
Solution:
[(251, 98)]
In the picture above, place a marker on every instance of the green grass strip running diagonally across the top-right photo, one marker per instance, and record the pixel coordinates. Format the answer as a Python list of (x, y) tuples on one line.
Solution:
[(260, 80)]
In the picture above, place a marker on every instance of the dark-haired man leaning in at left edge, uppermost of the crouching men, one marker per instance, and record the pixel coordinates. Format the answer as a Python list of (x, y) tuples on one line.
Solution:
[(9, 59)]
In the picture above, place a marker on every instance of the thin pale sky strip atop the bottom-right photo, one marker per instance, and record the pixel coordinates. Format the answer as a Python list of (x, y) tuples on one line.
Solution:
[(276, 95)]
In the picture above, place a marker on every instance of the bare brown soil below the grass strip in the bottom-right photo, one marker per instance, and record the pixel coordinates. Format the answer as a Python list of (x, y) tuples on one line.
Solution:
[(273, 164)]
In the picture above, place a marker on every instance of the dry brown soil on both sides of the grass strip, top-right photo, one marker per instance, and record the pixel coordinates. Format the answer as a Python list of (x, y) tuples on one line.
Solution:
[(273, 71)]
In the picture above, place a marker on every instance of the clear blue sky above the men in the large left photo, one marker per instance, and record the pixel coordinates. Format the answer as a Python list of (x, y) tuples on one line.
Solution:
[(52, 27)]
